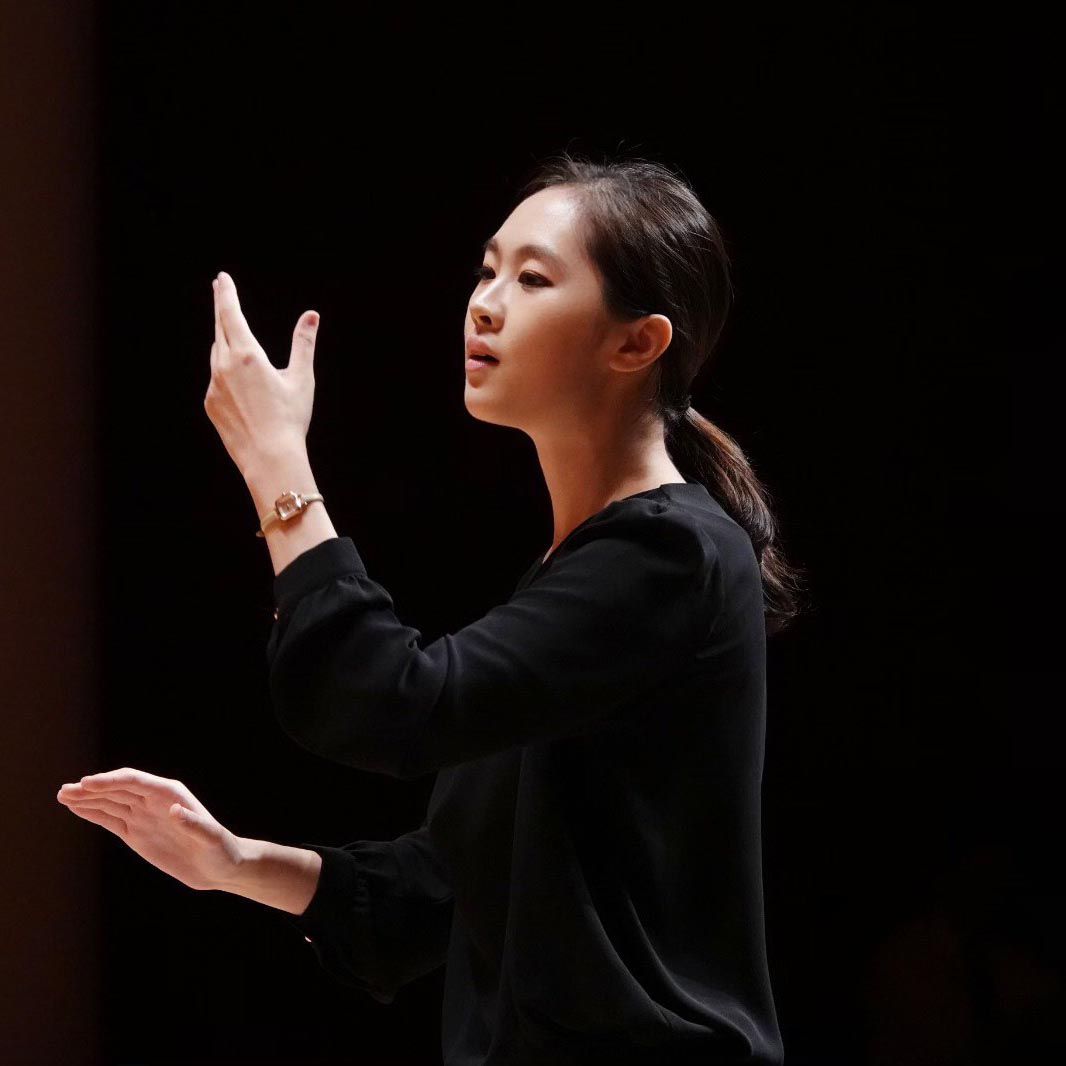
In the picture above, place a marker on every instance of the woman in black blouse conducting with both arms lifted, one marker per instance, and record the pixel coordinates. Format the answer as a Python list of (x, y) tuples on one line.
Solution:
[(590, 866)]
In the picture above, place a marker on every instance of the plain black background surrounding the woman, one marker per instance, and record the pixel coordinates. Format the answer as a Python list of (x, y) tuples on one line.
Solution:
[(891, 269)]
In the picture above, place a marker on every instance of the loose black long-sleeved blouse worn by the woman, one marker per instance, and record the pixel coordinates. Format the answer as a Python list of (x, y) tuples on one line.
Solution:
[(590, 866)]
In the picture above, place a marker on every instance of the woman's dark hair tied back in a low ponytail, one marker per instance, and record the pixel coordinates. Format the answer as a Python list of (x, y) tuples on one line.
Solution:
[(659, 251)]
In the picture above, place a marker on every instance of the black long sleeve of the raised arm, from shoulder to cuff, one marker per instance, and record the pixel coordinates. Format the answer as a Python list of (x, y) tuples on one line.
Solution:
[(617, 611)]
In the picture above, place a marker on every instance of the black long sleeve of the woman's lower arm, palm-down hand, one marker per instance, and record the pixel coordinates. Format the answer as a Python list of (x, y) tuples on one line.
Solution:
[(382, 913)]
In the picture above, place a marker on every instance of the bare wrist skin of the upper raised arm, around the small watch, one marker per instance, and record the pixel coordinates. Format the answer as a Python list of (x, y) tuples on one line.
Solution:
[(267, 480)]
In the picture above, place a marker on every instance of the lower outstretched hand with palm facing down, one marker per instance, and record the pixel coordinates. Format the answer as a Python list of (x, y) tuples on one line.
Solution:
[(163, 821)]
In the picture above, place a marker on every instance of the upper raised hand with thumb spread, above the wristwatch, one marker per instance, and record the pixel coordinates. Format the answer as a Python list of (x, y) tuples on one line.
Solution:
[(260, 412)]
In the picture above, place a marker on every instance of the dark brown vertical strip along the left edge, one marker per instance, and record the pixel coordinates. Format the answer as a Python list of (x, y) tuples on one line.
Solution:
[(50, 622)]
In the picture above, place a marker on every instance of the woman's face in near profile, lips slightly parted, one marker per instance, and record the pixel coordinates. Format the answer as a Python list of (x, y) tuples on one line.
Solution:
[(539, 308)]
